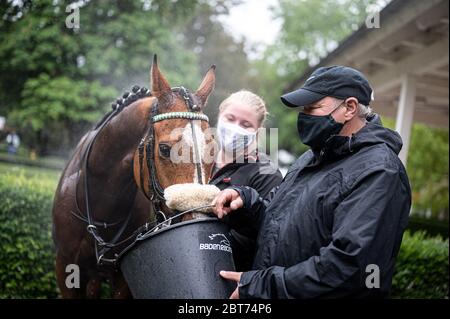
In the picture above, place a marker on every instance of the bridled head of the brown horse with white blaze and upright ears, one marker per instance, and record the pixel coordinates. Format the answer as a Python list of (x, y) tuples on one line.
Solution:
[(179, 147)]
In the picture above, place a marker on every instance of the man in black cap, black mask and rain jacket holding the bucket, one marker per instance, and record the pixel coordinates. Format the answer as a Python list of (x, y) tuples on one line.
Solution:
[(333, 227)]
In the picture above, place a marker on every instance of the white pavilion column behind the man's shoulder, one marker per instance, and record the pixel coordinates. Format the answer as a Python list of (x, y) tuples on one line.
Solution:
[(405, 113)]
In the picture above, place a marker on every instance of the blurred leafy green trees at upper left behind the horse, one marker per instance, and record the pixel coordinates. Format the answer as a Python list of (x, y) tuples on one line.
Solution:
[(57, 79)]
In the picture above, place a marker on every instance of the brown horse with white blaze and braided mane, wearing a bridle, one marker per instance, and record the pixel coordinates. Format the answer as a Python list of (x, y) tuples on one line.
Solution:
[(98, 200)]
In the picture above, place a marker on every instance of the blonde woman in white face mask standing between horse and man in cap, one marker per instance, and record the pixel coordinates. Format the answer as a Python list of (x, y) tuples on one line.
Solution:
[(239, 163)]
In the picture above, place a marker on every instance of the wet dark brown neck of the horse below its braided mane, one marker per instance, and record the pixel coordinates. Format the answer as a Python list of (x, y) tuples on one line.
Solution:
[(110, 174)]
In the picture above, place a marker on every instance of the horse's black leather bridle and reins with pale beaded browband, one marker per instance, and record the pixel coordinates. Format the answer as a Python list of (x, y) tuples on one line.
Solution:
[(154, 191)]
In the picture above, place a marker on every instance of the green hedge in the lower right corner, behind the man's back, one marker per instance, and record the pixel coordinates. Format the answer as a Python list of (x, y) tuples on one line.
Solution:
[(421, 268)]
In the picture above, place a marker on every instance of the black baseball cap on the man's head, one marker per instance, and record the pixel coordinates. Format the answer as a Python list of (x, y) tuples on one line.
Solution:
[(336, 81)]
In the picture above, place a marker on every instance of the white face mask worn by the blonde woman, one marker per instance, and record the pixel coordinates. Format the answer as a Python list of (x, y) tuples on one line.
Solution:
[(232, 137)]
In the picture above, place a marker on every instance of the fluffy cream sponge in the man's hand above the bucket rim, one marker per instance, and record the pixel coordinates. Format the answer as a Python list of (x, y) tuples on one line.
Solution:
[(182, 197)]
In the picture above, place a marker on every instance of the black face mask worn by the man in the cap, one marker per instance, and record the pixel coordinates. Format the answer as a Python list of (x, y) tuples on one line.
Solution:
[(315, 130)]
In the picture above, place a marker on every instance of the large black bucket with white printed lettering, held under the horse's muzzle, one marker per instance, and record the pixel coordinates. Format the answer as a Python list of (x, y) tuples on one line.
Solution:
[(181, 262)]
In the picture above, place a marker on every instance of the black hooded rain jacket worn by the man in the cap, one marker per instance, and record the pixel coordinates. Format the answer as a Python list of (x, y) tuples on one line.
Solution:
[(334, 216)]
